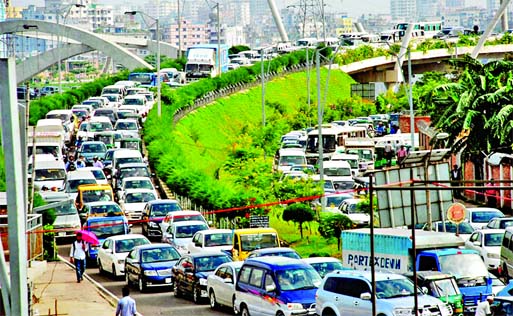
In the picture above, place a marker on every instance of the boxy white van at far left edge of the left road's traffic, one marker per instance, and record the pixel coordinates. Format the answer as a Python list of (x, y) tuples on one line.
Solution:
[(49, 174)]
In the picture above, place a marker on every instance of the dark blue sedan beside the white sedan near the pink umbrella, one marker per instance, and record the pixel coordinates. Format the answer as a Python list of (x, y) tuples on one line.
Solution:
[(150, 265)]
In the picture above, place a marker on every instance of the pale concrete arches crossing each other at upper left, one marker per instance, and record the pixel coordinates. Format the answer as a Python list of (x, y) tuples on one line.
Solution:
[(113, 46)]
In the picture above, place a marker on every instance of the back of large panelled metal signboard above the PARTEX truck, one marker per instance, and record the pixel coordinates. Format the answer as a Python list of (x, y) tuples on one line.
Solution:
[(394, 206)]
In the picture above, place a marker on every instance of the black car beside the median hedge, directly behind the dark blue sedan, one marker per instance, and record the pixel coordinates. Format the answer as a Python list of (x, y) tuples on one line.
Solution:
[(154, 213)]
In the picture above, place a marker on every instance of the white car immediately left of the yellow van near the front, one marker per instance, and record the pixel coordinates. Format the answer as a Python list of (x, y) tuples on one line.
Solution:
[(211, 240)]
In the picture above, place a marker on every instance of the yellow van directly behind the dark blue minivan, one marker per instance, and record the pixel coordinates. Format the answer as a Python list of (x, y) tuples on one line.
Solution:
[(248, 239)]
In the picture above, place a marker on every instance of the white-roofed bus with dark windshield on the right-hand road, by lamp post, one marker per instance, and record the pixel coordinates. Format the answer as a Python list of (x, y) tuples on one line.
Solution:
[(333, 137)]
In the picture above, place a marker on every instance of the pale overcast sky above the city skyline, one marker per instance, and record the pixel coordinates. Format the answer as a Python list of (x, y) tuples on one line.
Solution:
[(355, 8)]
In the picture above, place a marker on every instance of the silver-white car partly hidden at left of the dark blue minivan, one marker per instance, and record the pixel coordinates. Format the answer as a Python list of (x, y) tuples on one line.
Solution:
[(221, 284)]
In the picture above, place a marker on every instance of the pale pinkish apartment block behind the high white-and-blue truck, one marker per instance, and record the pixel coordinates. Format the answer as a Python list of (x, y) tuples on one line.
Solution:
[(192, 34)]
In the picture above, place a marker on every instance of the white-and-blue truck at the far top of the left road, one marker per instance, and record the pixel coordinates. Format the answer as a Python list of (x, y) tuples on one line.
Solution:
[(206, 61)]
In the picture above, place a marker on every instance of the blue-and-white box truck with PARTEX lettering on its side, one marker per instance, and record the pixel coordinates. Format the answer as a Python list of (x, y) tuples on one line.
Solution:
[(434, 252)]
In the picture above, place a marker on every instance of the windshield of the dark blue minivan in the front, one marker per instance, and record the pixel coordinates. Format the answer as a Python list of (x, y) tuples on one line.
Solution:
[(298, 279)]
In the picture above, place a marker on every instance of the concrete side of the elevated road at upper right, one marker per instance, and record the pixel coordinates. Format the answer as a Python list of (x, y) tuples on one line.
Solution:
[(381, 69)]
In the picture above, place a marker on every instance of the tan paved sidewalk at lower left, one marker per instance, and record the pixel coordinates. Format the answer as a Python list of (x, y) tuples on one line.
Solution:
[(57, 286)]
